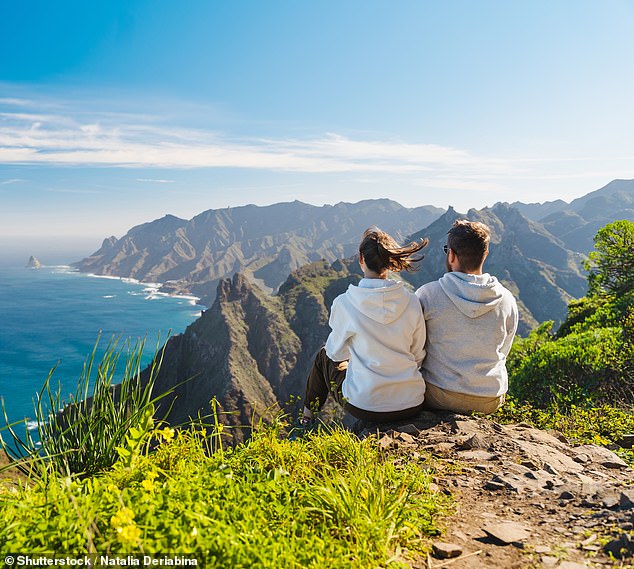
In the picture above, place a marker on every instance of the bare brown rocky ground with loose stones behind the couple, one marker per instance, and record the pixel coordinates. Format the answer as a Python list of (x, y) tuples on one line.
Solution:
[(524, 498)]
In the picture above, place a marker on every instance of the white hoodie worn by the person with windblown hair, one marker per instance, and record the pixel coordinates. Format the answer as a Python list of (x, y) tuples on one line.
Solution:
[(379, 327)]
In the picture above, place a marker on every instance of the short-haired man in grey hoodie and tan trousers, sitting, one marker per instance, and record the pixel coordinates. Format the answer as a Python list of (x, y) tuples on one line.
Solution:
[(471, 320)]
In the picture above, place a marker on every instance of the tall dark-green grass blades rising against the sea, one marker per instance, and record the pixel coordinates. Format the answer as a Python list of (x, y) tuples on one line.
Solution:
[(82, 436)]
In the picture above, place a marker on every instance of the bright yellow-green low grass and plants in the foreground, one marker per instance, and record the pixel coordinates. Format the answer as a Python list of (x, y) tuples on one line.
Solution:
[(329, 500)]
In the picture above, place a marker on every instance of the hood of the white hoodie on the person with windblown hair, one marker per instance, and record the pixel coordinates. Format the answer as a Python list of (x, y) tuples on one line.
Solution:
[(383, 305)]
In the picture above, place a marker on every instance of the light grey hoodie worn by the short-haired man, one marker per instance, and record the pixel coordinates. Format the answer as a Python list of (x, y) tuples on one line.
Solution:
[(471, 321)]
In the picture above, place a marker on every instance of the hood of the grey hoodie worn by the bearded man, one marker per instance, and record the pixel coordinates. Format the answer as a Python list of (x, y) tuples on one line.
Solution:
[(473, 295)]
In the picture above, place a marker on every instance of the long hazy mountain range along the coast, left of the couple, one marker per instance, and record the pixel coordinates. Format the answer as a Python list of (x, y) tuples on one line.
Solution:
[(263, 243)]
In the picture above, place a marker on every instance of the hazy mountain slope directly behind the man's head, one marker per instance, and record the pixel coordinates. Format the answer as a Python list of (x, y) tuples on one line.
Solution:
[(531, 262)]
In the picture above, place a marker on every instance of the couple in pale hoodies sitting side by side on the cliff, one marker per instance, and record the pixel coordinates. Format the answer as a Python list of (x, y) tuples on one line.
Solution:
[(392, 353)]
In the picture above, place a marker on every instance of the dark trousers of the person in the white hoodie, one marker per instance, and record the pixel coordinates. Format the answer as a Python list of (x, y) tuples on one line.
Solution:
[(327, 377)]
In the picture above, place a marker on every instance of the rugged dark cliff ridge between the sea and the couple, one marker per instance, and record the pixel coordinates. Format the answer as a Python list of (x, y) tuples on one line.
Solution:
[(250, 351)]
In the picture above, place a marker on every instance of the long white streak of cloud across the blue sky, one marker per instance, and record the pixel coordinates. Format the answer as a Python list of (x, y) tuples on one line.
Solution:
[(116, 140)]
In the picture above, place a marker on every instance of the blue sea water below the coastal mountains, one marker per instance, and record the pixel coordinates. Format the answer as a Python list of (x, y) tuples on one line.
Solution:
[(53, 316)]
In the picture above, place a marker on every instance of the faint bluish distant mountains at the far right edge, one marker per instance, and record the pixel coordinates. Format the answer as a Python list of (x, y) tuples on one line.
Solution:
[(577, 223)]
